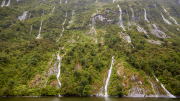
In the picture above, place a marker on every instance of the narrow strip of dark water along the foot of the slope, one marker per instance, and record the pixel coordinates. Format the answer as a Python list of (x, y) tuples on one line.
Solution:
[(84, 99)]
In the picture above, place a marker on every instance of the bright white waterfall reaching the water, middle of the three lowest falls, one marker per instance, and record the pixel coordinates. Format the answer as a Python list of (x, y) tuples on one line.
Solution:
[(108, 78)]
